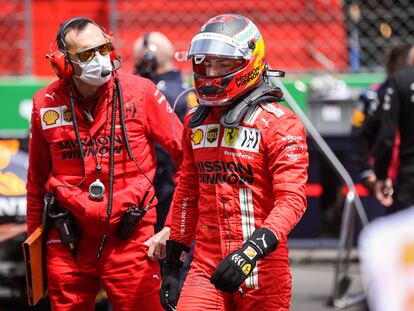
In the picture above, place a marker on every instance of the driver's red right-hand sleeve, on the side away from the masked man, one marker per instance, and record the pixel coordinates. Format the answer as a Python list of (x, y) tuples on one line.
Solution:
[(288, 163)]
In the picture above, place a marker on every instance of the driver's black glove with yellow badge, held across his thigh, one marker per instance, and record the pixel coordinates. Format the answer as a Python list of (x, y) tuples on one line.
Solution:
[(233, 270)]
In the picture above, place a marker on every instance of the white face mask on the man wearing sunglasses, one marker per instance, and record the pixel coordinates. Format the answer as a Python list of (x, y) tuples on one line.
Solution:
[(92, 71)]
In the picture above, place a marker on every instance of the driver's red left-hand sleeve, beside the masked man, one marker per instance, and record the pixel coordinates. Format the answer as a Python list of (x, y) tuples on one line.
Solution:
[(185, 201)]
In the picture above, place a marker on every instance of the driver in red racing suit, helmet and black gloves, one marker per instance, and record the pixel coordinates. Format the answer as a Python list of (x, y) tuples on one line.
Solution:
[(242, 187)]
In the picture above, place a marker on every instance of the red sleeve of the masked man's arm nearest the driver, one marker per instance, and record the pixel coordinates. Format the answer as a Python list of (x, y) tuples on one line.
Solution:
[(165, 128)]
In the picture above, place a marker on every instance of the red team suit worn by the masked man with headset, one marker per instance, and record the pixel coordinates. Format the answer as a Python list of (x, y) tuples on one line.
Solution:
[(129, 278)]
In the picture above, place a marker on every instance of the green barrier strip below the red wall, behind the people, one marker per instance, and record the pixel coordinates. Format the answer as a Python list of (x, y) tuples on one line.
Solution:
[(16, 95)]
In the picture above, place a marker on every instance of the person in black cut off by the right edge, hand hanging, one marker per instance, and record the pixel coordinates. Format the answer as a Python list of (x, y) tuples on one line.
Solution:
[(397, 116)]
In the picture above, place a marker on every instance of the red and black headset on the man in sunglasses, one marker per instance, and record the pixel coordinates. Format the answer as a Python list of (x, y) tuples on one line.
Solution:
[(59, 59)]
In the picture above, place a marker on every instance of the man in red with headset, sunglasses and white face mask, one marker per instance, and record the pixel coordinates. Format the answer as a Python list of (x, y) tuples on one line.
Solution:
[(99, 199)]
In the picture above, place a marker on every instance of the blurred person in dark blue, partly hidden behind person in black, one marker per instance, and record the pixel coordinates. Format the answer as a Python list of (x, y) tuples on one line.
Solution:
[(367, 118)]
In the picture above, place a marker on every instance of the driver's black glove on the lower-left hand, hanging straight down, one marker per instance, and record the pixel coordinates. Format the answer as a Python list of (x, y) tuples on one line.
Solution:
[(169, 291)]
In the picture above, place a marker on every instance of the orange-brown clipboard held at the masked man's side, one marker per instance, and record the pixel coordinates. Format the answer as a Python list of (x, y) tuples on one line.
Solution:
[(34, 253)]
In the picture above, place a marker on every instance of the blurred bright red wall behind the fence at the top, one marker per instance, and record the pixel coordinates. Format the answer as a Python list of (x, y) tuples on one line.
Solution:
[(298, 34)]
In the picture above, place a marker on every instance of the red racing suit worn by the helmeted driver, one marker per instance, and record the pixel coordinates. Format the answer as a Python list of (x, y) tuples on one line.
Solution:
[(233, 181)]
